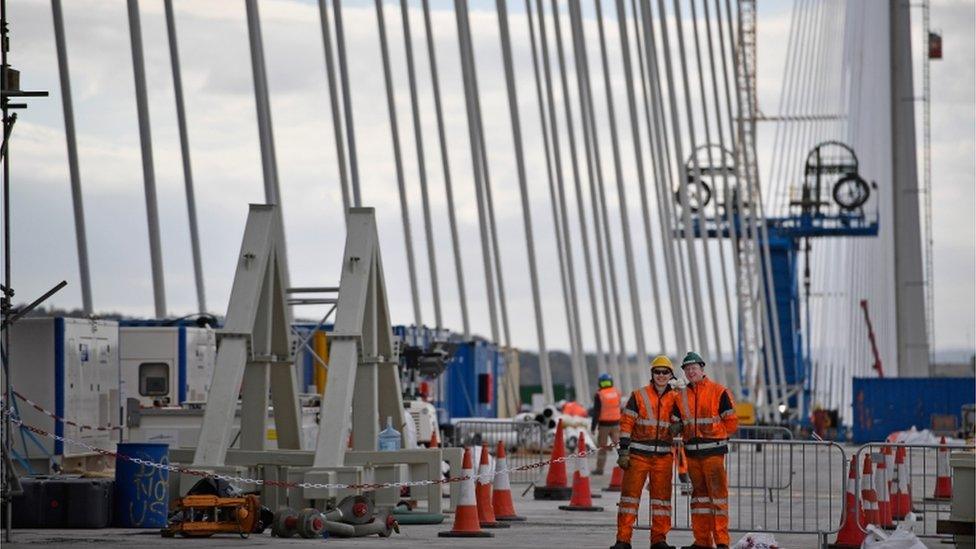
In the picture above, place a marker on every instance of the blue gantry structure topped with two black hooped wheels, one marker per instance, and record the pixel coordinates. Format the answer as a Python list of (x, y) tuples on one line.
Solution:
[(831, 200)]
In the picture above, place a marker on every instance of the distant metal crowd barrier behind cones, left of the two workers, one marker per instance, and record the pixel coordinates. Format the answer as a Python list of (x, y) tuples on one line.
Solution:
[(524, 442)]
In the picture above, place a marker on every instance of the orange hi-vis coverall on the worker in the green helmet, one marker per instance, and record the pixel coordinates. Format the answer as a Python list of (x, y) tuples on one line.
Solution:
[(708, 414)]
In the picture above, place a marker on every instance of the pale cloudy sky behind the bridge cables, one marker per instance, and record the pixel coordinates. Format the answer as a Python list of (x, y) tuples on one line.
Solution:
[(226, 162)]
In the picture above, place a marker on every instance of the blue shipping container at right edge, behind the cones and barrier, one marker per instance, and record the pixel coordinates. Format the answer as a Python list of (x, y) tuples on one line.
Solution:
[(882, 406)]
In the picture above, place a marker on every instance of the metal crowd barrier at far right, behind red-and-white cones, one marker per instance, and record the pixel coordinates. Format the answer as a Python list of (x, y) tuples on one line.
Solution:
[(921, 465)]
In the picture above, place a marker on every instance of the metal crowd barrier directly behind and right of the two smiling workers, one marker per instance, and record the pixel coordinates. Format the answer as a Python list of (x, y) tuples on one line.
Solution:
[(790, 487)]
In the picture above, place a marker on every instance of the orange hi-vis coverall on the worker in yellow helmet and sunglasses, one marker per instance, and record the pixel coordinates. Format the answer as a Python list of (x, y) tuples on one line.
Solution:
[(644, 435)]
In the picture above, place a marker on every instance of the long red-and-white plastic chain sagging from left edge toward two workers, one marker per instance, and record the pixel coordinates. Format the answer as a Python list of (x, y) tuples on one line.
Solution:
[(284, 484)]
